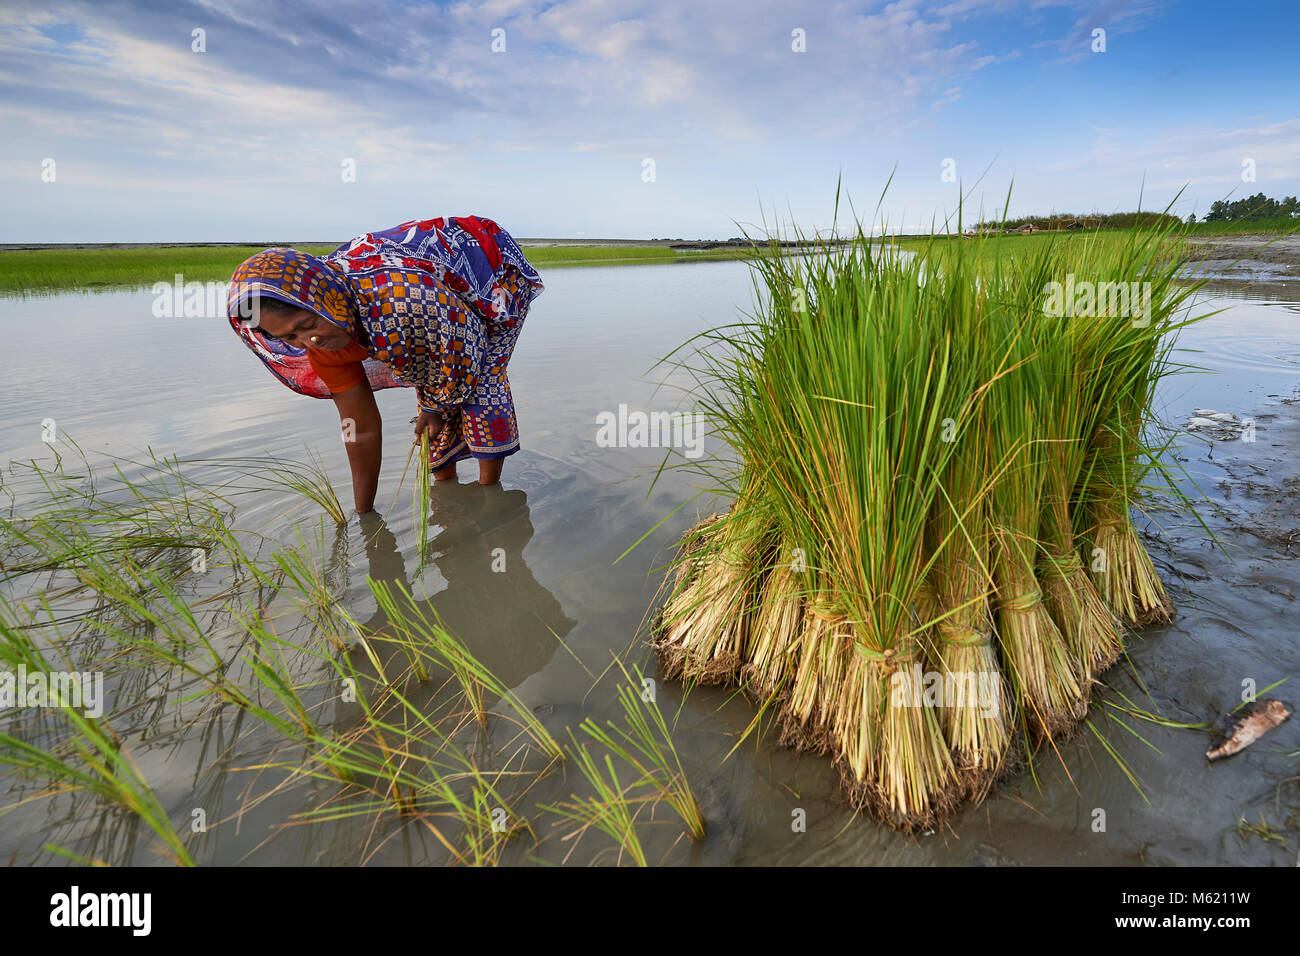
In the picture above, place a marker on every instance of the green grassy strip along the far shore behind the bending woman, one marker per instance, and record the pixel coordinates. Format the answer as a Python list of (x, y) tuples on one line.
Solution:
[(72, 270)]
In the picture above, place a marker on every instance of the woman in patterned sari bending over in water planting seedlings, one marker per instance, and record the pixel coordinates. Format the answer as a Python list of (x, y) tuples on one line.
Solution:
[(434, 304)]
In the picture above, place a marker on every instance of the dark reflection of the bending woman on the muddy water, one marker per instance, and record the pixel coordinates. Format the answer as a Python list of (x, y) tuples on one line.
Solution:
[(505, 617)]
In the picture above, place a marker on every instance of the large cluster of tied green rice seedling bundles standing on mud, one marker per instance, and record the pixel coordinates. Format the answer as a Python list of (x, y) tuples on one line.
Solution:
[(929, 461)]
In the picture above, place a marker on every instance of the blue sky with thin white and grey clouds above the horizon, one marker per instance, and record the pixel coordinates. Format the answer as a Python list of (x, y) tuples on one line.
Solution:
[(263, 122)]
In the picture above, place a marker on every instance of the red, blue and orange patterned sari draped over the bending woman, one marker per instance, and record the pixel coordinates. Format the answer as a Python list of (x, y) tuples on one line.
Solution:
[(439, 304)]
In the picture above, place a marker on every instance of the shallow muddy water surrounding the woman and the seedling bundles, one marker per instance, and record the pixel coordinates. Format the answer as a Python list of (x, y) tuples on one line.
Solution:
[(118, 380)]
